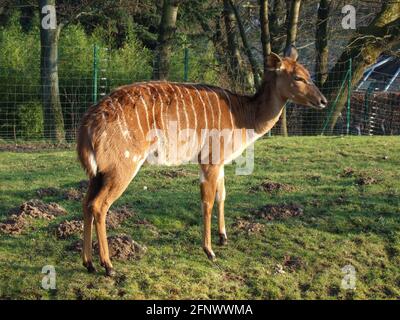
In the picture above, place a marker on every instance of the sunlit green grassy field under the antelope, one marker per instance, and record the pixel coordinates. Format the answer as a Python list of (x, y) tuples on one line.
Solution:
[(348, 188)]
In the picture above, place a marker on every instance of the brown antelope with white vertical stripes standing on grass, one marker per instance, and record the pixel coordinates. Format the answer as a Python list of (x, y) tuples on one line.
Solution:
[(120, 133)]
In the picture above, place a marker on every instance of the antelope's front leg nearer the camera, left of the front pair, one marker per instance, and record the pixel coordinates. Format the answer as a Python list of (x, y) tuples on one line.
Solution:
[(208, 185)]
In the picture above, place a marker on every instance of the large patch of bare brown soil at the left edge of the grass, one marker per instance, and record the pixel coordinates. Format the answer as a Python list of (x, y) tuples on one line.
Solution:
[(32, 209)]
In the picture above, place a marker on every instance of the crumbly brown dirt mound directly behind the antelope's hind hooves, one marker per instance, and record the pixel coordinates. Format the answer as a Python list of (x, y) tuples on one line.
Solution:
[(121, 247)]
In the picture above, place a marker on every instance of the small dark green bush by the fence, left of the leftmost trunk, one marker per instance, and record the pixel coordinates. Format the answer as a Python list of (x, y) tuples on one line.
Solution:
[(30, 121)]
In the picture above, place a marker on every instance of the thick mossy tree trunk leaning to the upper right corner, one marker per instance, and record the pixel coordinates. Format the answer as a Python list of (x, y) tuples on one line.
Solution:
[(364, 49)]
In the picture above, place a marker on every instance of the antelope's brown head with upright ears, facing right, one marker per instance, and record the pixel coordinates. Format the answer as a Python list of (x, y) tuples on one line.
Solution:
[(293, 81)]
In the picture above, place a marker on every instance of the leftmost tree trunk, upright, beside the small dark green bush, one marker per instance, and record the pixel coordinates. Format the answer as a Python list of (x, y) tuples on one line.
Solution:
[(52, 111)]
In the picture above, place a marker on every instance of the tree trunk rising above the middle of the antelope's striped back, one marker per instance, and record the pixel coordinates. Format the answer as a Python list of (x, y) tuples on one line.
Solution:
[(165, 36)]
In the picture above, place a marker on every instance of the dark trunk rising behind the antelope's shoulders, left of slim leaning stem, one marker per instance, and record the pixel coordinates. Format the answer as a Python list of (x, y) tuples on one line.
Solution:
[(235, 64)]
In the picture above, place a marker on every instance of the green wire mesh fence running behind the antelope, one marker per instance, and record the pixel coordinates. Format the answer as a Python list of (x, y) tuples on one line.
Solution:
[(86, 74)]
